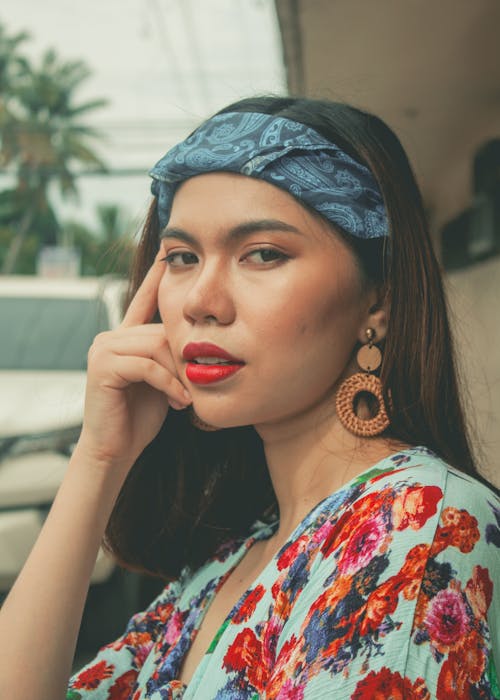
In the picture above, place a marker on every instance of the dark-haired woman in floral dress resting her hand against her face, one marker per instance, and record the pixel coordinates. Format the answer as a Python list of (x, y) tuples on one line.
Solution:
[(312, 496)]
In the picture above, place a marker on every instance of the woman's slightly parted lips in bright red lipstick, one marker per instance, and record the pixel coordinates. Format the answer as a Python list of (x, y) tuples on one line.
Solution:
[(203, 366)]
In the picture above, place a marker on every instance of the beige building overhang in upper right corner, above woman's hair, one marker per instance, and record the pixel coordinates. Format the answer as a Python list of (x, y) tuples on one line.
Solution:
[(430, 68)]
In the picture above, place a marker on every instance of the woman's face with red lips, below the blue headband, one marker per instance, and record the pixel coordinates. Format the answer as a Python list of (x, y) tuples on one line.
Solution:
[(252, 272)]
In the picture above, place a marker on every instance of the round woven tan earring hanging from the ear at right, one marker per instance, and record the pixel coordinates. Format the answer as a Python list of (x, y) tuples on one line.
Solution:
[(369, 359)]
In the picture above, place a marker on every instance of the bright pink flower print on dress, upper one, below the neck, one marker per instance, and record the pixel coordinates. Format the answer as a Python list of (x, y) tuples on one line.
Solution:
[(366, 540)]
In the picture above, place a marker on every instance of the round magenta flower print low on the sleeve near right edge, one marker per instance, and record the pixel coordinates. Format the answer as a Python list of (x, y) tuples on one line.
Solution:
[(446, 618)]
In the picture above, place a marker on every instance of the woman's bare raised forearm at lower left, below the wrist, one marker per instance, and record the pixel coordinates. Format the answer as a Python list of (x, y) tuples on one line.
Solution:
[(40, 619)]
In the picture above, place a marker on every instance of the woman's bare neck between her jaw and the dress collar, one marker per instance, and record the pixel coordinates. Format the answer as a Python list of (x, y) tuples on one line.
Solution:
[(310, 457)]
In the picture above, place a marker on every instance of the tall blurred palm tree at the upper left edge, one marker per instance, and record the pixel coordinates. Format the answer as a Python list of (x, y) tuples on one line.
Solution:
[(44, 140)]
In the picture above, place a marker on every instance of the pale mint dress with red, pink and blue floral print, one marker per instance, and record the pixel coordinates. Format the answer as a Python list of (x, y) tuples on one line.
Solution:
[(389, 588)]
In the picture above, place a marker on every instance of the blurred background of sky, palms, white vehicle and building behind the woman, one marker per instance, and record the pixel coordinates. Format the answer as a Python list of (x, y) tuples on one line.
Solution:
[(92, 94)]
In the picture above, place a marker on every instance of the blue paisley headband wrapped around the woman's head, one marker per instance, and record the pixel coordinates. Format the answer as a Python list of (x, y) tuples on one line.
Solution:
[(284, 153)]
